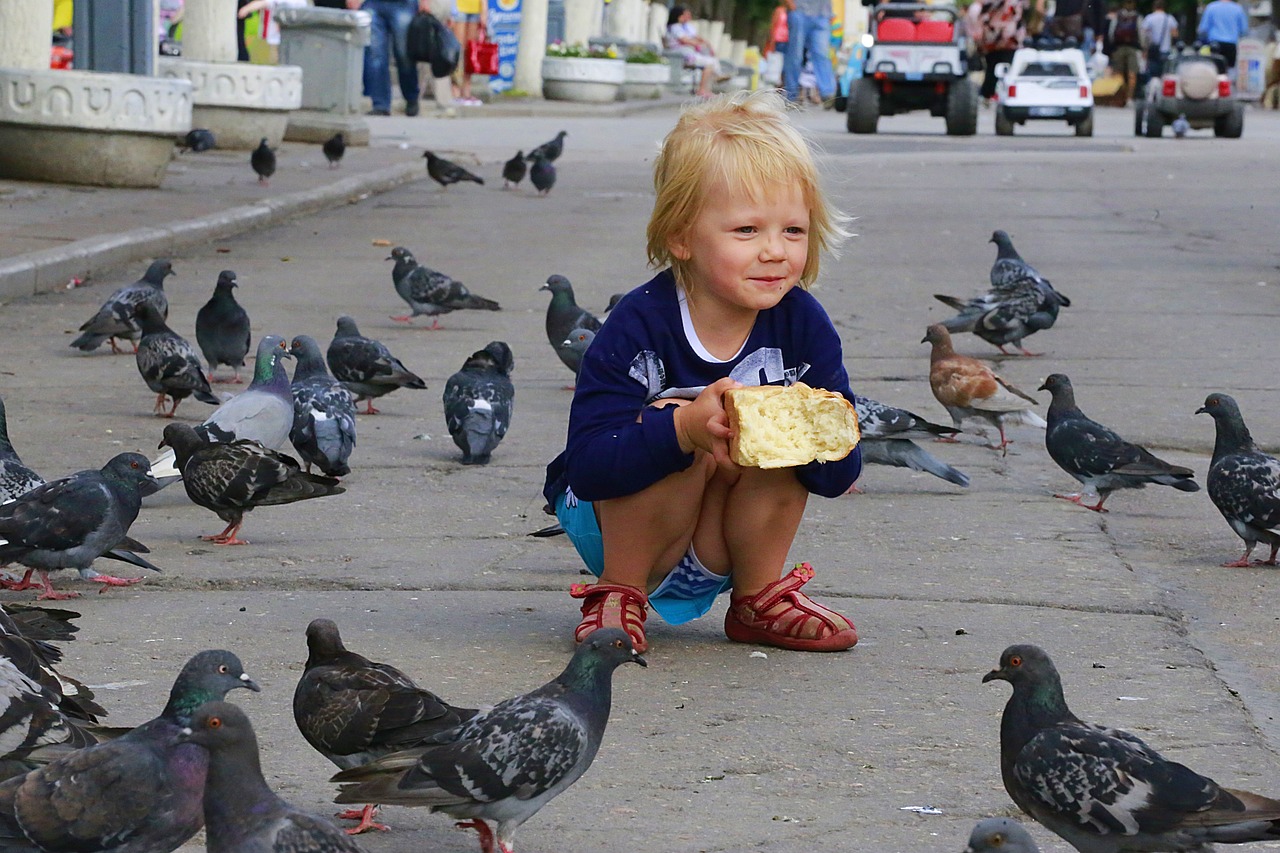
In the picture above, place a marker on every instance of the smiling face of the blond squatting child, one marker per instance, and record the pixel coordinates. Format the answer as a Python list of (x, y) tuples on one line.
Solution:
[(743, 252)]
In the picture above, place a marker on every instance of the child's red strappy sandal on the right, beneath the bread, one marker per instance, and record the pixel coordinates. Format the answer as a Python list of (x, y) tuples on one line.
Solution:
[(784, 617)]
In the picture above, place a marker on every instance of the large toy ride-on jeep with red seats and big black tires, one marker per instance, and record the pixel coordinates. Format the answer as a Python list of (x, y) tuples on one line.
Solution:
[(916, 61)]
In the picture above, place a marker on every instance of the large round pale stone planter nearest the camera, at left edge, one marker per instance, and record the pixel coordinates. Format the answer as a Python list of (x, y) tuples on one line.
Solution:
[(90, 129)]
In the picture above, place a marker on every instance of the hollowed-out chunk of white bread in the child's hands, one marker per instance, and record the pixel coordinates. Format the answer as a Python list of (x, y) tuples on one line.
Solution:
[(783, 427)]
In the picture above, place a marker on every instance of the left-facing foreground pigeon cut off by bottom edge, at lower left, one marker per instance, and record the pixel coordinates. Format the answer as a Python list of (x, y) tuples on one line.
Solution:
[(243, 815)]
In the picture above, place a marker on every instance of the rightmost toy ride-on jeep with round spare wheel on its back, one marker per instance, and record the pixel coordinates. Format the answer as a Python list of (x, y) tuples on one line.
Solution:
[(1196, 88)]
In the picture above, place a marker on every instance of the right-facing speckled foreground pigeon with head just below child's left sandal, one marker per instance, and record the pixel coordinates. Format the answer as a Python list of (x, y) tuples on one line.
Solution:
[(506, 764)]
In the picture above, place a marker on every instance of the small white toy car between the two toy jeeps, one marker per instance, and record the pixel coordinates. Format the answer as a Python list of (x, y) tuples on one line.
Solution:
[(1045, 85)]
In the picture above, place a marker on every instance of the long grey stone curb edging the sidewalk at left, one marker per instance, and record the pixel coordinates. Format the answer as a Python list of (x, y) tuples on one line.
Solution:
[(51, 270)]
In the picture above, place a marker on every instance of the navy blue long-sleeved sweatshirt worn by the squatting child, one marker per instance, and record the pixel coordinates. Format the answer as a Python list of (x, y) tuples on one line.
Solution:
[(643, 355)]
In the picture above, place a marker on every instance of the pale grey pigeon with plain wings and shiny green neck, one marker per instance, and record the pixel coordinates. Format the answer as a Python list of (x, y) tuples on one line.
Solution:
[(262, 413)]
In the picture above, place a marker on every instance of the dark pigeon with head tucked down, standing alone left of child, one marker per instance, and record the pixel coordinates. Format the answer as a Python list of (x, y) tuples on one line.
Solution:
[(479, 400)]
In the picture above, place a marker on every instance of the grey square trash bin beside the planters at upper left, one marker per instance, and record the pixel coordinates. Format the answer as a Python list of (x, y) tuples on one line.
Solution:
[(330, 47)]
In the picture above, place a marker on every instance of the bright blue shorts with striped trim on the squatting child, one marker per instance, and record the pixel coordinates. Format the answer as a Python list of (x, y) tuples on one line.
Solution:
[(685, 595)]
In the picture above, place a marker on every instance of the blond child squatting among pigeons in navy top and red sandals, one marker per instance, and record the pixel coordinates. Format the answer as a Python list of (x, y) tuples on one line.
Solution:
[(646, 489)]
